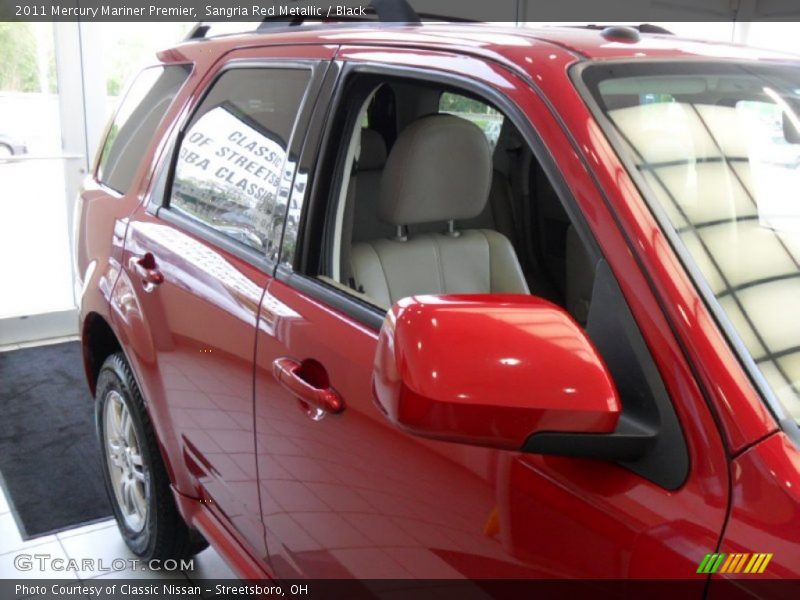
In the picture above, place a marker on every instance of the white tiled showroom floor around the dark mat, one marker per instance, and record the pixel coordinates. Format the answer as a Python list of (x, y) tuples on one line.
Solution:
[(97, 541)]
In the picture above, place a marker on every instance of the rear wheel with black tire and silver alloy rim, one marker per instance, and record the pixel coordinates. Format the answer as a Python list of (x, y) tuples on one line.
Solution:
[(135, 477)]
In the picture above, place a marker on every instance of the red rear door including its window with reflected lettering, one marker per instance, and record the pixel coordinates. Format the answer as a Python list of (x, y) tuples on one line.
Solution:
[(195, 264)]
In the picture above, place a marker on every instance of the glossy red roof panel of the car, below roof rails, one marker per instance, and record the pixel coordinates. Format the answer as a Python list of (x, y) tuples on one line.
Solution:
[(483, 39)]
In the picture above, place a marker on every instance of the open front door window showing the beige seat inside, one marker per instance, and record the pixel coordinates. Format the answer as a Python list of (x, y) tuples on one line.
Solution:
[(364, 247)]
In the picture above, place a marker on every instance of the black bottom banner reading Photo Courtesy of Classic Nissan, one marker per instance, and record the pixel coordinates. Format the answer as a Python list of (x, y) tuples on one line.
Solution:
[(151, 589)]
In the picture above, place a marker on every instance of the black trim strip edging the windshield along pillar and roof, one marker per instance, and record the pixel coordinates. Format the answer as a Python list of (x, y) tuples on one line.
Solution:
[(577, 73)]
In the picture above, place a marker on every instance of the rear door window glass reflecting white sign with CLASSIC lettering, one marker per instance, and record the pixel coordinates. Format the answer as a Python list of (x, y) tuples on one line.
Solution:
[(233, 154)]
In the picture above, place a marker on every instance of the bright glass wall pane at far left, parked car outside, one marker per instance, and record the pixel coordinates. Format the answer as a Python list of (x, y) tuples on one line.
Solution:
[(34, 237)]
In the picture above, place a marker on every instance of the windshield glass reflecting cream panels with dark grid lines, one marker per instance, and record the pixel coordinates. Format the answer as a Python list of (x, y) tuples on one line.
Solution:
[(719, 149)]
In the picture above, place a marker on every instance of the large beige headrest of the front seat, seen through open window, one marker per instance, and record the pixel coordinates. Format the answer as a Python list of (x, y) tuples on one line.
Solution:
[(439, 169)]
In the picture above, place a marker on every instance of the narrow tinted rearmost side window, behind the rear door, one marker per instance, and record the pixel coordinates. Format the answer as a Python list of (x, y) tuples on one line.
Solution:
[(136, 121)]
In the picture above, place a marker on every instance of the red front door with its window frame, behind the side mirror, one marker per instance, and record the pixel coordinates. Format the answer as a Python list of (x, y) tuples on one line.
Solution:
[(344, 493)]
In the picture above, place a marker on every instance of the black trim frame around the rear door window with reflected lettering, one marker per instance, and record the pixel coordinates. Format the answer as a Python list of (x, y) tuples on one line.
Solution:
[(158, 204)]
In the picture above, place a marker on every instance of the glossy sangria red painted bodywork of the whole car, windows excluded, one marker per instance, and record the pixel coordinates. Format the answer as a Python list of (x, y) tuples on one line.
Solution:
[(216, 344)]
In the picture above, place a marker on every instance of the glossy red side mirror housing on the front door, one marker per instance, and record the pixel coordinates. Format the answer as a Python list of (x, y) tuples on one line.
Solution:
[(491, 370)]
